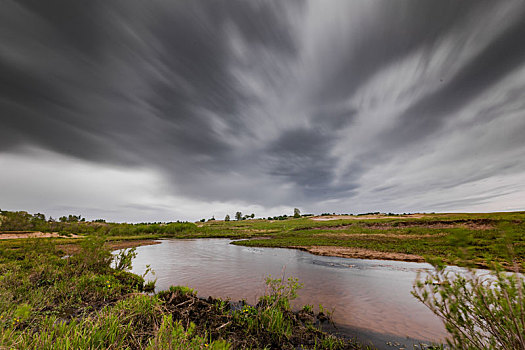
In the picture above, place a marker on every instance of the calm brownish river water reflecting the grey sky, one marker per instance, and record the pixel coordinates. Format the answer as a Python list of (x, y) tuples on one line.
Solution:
[(371, 298)]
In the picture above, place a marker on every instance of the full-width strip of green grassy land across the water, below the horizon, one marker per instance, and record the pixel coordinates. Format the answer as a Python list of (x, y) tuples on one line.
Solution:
[(478, 239)]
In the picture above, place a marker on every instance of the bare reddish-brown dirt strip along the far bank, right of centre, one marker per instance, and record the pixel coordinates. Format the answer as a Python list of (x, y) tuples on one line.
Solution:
[(360, 253)]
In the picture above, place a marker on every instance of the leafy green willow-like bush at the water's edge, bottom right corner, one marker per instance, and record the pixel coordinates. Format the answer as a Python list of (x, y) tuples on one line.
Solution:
[(479, 311)]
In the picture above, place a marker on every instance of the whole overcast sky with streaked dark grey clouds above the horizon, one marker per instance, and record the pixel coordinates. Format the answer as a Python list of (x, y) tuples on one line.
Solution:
[(165, 110)]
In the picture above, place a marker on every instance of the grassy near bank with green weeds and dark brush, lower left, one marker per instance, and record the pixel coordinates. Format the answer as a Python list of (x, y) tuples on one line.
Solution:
[(89, 301)]
